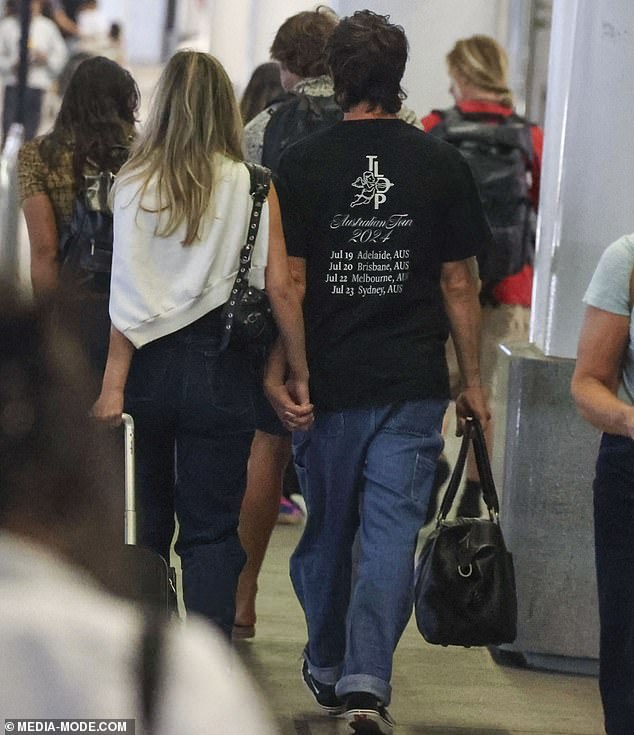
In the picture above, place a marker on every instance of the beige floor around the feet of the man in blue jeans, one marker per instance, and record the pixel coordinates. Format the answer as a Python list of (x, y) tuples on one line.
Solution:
[(437, 691)]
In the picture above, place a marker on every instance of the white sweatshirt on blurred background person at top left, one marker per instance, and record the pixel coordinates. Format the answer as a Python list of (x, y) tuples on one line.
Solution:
[(45, 38)]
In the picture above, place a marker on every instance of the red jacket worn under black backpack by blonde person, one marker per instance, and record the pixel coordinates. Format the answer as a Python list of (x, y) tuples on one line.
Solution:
[(515, 289)]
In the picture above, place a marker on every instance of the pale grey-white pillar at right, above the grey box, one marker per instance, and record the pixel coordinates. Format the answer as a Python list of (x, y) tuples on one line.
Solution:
[(588, 172)]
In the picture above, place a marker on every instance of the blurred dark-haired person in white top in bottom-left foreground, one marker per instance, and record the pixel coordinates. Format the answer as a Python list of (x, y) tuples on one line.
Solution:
[(70, 649)]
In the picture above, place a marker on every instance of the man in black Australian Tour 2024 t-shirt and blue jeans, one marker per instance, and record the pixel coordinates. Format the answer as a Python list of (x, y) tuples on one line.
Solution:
[(383, 224)]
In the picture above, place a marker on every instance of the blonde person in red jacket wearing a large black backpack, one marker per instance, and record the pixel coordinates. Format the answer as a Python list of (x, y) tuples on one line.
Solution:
[(504, 152)]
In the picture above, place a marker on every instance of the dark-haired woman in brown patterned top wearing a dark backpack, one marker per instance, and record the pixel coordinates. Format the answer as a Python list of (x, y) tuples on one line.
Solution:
[(63, 180)]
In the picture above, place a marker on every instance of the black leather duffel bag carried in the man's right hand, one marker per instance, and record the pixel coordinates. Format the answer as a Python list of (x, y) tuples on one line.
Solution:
[(465, 582)]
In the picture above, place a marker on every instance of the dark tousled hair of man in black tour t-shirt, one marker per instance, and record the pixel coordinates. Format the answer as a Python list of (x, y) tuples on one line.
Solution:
[(367, 55)]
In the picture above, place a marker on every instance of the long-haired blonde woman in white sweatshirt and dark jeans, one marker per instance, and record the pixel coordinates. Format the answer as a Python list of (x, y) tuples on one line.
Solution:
[(181, 207)]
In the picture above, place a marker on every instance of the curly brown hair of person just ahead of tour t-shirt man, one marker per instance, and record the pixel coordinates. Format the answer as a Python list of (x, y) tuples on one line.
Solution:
[(300, 42)]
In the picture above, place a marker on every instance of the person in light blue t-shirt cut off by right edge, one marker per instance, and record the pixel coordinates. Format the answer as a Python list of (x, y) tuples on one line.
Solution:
[(603, 389)]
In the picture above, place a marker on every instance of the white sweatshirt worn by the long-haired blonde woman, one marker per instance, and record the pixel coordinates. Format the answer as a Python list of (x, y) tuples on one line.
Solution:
[(159, 285)]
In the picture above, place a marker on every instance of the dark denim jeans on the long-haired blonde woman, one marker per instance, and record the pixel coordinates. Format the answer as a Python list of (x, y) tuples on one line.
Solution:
[(193, 410)]
